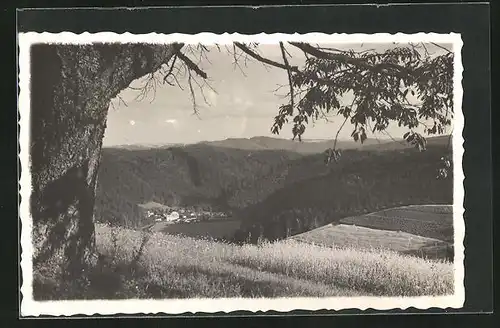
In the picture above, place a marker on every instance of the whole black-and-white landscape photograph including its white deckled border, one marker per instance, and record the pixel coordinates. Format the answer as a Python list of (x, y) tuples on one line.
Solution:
[(184, 173)]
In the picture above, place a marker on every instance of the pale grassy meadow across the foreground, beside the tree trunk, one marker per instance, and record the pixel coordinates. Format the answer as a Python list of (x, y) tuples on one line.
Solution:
[(136, 264)]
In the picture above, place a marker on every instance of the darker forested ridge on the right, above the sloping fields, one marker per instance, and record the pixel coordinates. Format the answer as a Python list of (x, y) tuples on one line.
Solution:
[(361, 182)]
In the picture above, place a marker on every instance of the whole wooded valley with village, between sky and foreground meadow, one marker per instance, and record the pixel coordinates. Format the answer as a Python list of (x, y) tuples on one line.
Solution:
[(261, 190)]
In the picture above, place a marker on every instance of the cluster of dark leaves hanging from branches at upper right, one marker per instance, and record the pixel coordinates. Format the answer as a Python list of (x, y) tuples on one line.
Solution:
[(380, 85)]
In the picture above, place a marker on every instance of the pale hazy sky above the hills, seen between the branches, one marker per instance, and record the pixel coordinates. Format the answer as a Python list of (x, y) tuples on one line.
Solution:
[(243, 105)]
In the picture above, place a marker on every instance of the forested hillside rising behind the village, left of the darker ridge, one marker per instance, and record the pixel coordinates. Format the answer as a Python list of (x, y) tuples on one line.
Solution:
[(197, 176)]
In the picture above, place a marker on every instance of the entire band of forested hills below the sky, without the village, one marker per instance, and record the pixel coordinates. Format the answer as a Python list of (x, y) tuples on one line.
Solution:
[(264, 183)]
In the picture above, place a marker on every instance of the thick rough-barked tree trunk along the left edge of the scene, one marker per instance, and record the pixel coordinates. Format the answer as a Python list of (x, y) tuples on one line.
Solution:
[(71, 89)]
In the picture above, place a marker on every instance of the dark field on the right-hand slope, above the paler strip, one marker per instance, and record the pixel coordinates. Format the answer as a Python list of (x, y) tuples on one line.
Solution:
[(430, 221)]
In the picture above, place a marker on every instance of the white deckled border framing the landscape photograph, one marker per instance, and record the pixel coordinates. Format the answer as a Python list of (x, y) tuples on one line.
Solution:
[(30, 307)]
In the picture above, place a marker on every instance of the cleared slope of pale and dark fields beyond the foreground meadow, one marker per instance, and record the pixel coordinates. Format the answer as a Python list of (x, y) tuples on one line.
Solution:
[(425, 231)]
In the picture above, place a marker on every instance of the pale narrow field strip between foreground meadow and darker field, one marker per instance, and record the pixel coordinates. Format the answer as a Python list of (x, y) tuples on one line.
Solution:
[(342, 236)]
